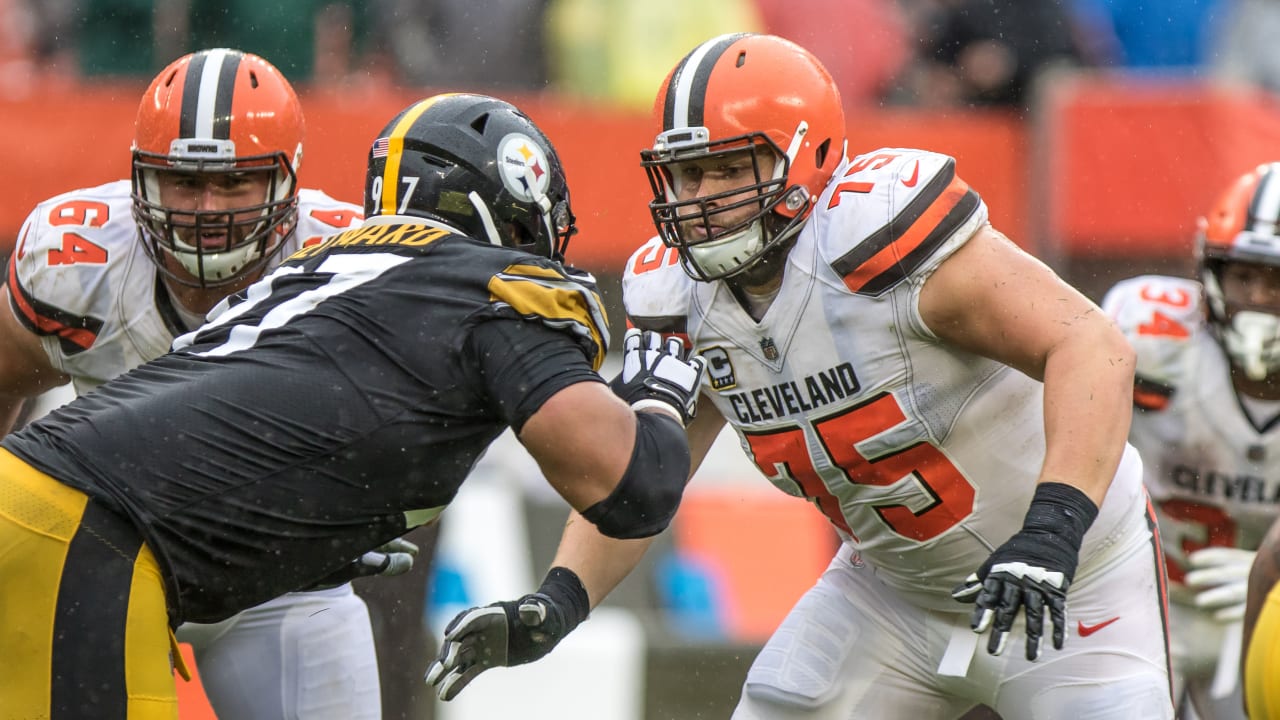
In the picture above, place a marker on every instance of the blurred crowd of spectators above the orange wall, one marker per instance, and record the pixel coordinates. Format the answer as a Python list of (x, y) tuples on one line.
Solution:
[(917, 53)]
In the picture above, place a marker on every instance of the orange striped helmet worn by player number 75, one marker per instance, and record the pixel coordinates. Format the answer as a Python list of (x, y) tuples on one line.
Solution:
[(732, 94)]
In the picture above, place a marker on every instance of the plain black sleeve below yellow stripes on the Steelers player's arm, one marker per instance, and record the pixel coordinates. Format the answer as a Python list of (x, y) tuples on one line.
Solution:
[(523, 364)]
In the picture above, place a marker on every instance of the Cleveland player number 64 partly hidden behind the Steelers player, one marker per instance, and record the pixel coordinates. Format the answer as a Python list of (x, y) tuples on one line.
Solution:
[(103, 280)]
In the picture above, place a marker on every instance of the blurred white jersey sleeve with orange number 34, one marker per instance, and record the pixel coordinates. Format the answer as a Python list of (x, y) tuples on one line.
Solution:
[(1158, 316)]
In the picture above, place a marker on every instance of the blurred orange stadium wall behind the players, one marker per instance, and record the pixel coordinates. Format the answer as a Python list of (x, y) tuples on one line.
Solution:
[(1110, 167)]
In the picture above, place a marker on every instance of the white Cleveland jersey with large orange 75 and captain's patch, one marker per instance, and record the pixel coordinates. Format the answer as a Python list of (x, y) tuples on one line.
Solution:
[(924, 457)]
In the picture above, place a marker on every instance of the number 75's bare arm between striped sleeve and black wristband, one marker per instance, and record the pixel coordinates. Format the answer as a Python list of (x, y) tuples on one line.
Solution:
[(998, 302)]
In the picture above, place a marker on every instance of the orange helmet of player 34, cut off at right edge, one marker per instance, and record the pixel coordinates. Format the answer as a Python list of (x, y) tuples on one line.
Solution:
[(1244, 227)]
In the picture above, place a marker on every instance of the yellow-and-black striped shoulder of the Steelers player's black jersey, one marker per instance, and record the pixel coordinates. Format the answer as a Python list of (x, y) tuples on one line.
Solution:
[(563, 299)]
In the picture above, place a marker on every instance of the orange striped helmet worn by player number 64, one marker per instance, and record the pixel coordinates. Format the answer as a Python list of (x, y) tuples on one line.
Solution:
[(217, 113)]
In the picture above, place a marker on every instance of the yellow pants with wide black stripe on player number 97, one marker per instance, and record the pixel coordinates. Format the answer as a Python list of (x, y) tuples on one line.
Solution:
[(84, 628)]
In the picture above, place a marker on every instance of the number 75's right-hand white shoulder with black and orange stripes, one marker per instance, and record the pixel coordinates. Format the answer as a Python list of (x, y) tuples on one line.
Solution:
[(894, 213)]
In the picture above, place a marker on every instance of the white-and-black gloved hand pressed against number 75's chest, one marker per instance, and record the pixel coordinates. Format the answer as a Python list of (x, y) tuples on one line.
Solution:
[(659, 373)]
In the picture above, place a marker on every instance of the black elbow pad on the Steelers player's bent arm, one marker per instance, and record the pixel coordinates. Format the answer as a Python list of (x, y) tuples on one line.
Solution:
[(648, 495)]
